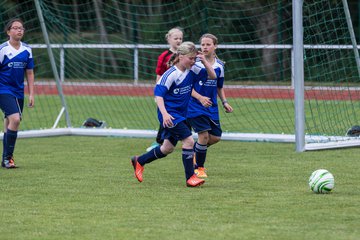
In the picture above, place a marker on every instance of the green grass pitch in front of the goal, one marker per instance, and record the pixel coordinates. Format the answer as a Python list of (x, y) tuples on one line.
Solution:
[(83, 188)]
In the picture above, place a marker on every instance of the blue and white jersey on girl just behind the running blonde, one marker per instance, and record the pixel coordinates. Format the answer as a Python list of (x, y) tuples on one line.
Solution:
[(207, 87)]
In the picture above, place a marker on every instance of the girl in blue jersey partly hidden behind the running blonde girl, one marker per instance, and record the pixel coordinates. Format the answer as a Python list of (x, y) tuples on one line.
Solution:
[(203, 112)]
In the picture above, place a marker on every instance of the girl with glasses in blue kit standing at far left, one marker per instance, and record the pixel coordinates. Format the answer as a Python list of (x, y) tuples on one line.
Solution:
[(16, 61)]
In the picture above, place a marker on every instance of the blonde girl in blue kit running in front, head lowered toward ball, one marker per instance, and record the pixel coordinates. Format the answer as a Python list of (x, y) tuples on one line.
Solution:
[(172, 94)]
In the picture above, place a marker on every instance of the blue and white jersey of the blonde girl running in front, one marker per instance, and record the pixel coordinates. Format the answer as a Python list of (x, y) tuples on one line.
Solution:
[(175, 88)]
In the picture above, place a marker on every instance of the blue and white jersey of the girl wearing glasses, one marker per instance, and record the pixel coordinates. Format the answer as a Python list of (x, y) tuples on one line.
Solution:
[(13, 63)]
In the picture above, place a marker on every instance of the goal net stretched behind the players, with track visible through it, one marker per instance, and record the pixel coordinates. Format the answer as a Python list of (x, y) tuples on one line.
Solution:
[(105, 53)]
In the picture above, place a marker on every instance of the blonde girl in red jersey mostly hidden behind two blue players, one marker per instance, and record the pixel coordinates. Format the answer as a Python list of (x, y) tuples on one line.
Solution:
[(174, 37)]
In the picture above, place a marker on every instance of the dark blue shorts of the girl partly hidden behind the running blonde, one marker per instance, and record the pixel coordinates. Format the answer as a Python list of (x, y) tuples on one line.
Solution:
[(204, 123)]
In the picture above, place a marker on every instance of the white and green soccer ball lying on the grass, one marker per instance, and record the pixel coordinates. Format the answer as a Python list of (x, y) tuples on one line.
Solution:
[(321, 181)]
